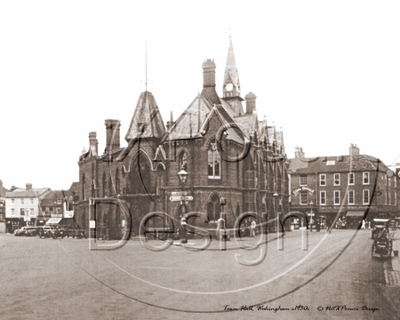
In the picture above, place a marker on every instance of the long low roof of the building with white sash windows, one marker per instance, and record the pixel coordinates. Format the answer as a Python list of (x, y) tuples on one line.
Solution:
[(333, 164)]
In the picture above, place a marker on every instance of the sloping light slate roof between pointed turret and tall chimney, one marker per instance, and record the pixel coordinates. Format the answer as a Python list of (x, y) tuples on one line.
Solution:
[(190, 121)]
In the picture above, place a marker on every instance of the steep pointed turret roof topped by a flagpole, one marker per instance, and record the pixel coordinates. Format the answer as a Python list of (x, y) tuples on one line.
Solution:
[(146, 121)]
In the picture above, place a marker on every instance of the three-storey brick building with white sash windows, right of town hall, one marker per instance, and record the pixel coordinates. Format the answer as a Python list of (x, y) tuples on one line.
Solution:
[(355, 199)]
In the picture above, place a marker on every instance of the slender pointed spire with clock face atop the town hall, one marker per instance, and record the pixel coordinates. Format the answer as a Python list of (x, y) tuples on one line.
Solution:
[(231, 86)]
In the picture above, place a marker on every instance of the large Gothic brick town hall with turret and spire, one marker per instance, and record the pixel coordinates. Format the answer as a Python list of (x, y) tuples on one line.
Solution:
[(217, 148)]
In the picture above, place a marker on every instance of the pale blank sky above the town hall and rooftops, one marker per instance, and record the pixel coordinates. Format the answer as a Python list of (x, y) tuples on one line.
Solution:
[(327, 72)]
